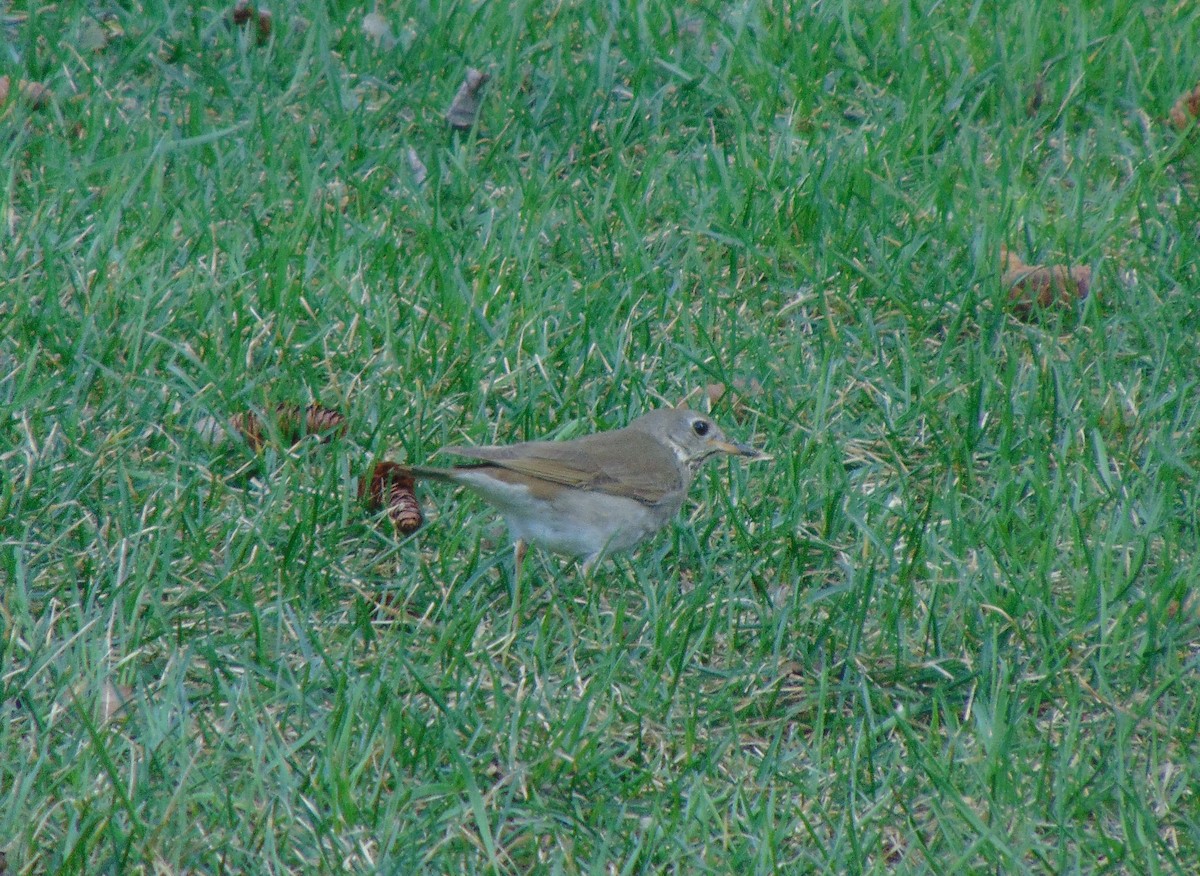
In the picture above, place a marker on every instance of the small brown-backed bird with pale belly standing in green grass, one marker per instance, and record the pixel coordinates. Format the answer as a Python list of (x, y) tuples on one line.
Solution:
[(593, 496)]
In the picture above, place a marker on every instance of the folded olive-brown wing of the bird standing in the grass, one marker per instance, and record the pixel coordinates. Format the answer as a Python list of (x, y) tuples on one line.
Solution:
[(637, 467)]
